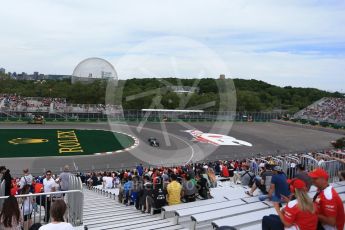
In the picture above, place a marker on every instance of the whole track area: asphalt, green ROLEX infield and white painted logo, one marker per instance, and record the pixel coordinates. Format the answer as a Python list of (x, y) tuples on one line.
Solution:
[(121, 145)]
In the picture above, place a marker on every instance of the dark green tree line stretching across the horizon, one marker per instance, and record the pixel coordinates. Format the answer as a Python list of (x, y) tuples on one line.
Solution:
[(251, 95)]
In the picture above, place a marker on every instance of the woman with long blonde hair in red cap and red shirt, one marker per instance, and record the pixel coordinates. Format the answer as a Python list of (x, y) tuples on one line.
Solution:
[(300, 213)]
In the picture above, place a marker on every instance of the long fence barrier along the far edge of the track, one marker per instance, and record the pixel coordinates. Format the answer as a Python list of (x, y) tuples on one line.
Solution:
[(137, 116)]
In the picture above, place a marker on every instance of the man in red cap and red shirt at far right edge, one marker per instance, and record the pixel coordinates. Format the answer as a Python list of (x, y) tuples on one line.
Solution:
[(331, 209)]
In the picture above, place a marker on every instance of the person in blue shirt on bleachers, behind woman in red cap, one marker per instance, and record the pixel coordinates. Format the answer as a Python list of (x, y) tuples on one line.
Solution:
[(279, 186)]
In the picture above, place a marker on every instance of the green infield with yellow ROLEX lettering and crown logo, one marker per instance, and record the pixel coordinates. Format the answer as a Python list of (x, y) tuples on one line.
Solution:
[(60, 142)]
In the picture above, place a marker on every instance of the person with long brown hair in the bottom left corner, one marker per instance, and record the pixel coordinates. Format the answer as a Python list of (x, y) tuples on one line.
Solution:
[(10, 218)]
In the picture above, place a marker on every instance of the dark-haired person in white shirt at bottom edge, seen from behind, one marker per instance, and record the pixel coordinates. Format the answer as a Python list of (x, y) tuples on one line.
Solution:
[(57, 212)]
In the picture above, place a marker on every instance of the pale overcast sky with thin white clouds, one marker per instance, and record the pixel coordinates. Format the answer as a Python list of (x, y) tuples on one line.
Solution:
[(298, 43)]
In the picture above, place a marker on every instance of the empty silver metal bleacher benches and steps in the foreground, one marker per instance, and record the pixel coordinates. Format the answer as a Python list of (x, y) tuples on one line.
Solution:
[(229, 207)]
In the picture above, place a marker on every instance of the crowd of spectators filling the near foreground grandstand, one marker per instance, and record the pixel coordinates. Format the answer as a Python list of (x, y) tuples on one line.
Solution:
[(150, 188)]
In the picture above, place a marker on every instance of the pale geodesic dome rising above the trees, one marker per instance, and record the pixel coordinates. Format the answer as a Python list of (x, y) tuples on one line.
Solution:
[(93, 68)]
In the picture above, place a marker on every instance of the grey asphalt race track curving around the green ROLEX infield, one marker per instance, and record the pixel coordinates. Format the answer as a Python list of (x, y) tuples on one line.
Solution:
[(177, 146)]
